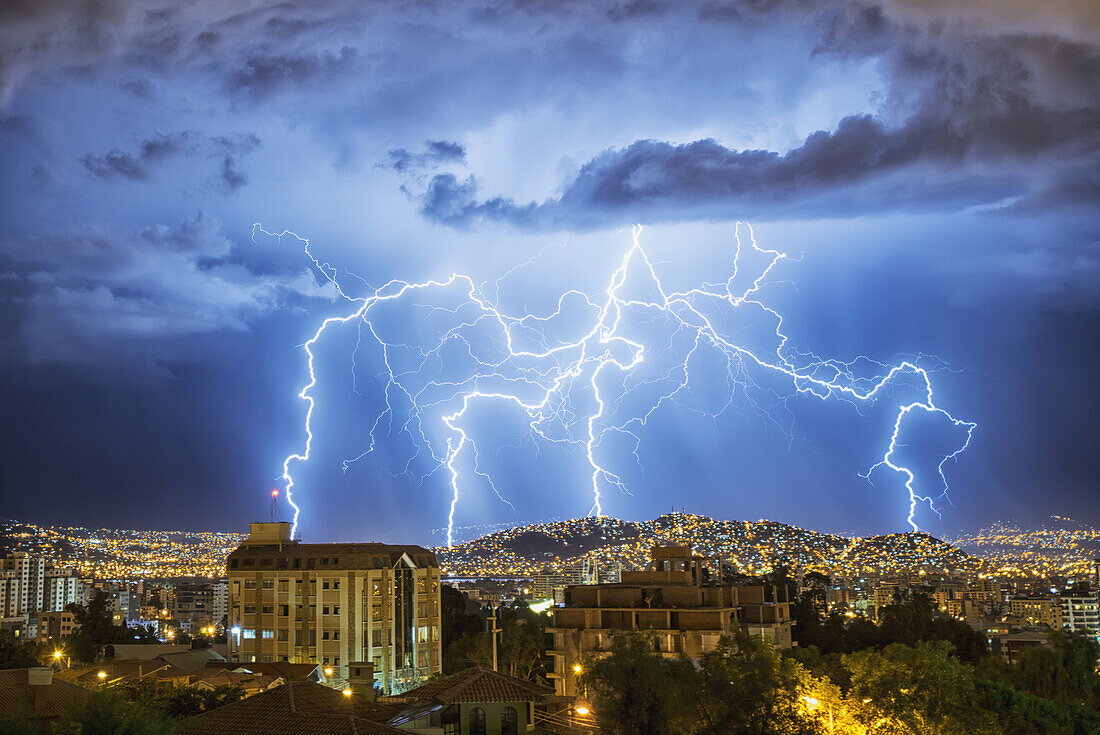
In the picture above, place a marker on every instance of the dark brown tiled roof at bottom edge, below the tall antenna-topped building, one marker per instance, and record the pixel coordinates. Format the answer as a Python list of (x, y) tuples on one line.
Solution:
[(294, 709)]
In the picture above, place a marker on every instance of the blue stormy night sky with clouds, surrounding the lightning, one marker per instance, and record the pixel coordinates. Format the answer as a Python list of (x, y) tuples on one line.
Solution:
[(931, 168)]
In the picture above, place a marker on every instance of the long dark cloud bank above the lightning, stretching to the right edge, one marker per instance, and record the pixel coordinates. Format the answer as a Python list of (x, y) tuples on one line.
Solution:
[(981, 113)]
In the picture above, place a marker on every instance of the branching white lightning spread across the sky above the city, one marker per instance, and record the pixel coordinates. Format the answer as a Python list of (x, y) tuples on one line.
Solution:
[(552, 383)]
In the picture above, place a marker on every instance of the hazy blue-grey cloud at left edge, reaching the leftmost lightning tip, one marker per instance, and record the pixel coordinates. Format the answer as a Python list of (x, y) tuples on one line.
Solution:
[(109, 297)]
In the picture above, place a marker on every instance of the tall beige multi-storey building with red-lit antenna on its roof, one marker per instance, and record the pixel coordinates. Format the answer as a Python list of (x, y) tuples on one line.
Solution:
[(336, 605)]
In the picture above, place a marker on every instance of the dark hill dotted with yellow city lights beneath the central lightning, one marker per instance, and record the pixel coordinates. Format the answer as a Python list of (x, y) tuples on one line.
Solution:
[(754, 547)]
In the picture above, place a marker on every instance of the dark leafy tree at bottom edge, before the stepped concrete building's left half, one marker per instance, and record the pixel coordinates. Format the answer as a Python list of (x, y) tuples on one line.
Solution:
[(637, 692)]
